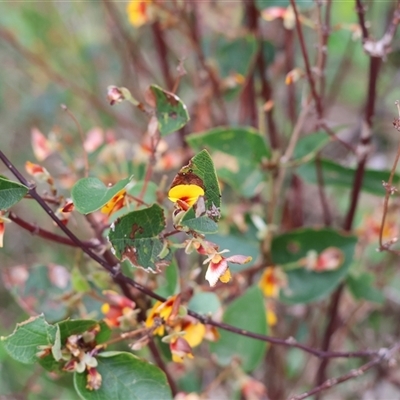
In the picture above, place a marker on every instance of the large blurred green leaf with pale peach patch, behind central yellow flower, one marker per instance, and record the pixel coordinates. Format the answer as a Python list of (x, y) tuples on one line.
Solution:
[(237, 155)]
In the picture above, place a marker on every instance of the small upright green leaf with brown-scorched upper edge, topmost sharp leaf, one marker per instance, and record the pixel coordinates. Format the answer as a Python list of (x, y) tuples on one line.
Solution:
[(171, 112)]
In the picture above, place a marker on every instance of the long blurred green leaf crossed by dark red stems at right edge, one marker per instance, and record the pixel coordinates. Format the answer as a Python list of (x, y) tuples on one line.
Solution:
[(337, 175)]
